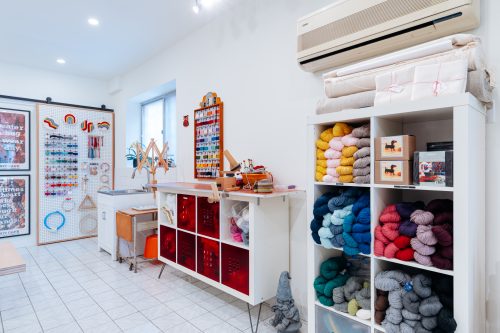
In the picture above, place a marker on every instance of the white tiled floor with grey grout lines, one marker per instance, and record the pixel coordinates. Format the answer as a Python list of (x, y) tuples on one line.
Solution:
[(71, 287)]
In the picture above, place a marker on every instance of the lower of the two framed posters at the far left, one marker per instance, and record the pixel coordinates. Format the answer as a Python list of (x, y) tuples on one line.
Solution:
[(14, 206)]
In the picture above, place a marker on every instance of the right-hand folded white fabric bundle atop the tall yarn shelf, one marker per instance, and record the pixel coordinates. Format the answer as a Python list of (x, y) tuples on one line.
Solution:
[(449, 78)]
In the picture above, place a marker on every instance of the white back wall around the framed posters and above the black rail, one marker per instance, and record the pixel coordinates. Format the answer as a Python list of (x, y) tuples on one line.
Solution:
[(38, 84)]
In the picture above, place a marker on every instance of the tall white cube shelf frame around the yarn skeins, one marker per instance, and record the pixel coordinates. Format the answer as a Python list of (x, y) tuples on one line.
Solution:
[(459, 118)]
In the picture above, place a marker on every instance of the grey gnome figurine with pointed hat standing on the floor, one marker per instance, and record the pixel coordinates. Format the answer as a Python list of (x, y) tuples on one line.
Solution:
[(286, 315)]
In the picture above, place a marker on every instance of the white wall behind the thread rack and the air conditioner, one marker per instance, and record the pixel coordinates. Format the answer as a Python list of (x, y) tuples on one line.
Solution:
[(248, 57)]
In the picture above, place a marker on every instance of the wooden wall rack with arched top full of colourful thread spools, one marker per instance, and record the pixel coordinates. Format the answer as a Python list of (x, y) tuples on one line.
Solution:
[(209, 128)]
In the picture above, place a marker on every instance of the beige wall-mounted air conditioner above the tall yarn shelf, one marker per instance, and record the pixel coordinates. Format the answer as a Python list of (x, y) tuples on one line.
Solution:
[(351, 30)]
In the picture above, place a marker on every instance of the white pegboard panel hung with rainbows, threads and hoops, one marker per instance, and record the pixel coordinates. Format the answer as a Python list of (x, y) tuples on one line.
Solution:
[(76, 152)]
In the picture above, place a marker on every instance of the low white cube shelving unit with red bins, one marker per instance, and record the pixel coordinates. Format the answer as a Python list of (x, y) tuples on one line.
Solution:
[(261, 261)]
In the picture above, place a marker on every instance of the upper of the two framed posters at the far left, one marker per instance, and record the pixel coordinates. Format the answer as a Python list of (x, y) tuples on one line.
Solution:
[(14, 140)]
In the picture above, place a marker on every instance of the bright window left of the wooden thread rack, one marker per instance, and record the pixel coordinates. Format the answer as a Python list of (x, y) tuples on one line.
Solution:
[(158, 123)]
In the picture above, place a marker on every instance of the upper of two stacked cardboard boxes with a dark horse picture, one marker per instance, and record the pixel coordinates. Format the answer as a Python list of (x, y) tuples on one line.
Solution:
[(395, 148)]
